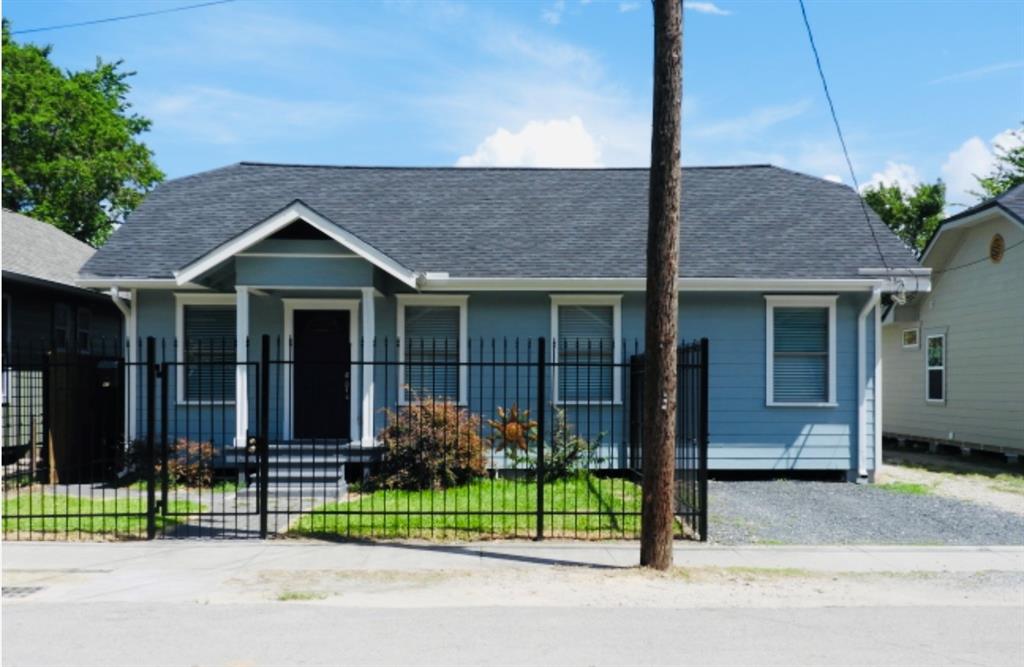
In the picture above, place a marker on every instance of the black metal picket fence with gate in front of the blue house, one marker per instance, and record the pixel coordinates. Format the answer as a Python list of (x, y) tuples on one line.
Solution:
[(494, 440)]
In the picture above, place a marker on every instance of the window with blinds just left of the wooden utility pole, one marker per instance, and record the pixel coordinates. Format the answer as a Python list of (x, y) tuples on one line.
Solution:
[(586, 353)]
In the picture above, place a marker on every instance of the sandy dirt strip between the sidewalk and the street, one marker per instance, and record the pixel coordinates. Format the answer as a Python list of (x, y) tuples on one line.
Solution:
[(691, 588)]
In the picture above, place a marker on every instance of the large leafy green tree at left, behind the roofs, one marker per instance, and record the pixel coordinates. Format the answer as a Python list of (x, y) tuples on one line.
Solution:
[(71, 154)]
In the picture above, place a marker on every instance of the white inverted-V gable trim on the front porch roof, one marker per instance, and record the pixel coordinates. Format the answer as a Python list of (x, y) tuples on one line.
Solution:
[(295, 212)]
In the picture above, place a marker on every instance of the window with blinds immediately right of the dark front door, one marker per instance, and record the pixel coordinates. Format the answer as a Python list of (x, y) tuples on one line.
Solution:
[(432, 352)]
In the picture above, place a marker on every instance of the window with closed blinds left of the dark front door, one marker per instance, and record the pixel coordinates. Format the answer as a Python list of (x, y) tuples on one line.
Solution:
[(209, 354)]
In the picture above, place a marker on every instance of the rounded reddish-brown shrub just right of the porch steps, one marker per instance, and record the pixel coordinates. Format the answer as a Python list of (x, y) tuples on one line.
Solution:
[(432, 445)]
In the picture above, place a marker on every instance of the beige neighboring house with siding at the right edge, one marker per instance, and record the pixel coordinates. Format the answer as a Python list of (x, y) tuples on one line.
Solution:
[(954, 359)]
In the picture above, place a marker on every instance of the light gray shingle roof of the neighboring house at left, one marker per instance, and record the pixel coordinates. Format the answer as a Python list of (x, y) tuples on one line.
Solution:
[(40, 251)]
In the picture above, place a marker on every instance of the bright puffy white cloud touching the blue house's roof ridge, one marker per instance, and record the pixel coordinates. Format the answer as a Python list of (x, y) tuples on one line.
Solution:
[(540, 144)]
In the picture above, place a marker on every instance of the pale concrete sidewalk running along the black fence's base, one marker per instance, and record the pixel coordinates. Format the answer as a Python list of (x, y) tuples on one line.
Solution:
[(414, 557)]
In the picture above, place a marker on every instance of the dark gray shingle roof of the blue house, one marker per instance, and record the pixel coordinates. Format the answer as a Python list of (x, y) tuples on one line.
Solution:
[(748, 222)]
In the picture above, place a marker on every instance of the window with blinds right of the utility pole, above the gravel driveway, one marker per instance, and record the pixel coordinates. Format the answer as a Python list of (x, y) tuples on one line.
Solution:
[(801, 355)]
